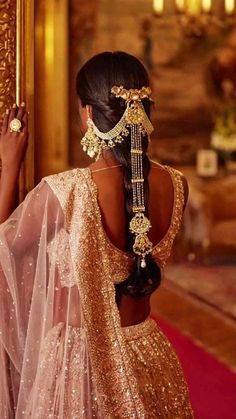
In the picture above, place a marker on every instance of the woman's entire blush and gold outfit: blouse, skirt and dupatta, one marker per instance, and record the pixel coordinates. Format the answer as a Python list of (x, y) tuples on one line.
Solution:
[(63, 352)]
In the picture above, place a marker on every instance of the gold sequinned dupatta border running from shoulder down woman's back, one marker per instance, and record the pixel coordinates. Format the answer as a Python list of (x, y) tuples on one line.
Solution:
[(111, 367)]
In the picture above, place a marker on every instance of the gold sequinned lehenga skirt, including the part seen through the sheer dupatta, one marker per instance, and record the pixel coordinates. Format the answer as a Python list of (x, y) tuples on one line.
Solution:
[(161, 382)]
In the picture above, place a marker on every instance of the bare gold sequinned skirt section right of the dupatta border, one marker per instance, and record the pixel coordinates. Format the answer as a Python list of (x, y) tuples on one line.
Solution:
[(161, 381)]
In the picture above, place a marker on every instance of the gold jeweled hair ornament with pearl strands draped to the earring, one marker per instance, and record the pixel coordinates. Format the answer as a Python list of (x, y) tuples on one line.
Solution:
[(135, 122)]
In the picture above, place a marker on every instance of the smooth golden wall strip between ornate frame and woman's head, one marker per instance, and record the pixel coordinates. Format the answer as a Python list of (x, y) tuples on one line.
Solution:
[(51, 87)]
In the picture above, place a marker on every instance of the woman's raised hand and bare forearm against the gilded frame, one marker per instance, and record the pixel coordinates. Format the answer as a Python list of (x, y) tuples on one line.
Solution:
[(13, 146)]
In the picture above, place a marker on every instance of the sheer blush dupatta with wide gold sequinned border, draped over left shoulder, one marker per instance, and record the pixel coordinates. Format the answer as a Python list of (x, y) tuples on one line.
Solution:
[(58, 316)]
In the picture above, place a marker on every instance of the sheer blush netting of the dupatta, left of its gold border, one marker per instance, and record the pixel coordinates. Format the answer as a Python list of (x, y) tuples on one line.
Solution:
[(40, 315)]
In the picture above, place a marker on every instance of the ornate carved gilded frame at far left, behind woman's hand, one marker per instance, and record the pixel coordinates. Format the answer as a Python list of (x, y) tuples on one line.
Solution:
[(16, 70)]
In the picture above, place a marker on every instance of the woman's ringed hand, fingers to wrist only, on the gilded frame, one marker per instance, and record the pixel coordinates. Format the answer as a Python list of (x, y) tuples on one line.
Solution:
[(13, 145)]
